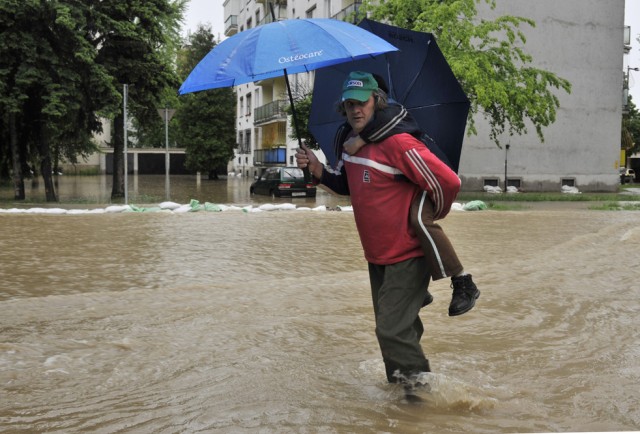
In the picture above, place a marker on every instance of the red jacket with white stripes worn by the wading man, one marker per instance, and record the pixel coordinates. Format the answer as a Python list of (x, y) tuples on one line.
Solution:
[(383, 179)]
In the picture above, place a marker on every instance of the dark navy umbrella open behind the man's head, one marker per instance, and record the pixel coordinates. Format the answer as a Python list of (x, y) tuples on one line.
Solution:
[(417, 76)]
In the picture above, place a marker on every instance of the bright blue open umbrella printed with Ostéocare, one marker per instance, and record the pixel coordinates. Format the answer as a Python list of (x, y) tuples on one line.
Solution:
[(281, 48)]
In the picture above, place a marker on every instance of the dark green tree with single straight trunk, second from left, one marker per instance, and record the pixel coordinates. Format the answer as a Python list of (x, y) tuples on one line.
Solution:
[(135, 42)]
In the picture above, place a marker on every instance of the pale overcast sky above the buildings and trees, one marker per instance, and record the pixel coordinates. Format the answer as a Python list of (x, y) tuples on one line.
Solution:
[(212, 12)]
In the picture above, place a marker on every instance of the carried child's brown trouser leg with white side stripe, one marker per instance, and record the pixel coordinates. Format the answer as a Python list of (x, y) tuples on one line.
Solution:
[(438, 251)]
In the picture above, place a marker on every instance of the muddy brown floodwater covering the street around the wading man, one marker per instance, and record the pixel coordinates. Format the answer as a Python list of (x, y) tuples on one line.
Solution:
[(262, 322)]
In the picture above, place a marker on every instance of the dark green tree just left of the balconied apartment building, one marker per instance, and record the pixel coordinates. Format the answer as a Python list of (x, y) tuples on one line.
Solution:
[(205, 120)]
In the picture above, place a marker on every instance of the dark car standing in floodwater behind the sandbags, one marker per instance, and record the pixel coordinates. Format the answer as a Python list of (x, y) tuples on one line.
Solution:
[(283, 182)]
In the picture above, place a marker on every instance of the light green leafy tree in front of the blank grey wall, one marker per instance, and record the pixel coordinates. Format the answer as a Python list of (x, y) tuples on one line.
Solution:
[(487, 57)]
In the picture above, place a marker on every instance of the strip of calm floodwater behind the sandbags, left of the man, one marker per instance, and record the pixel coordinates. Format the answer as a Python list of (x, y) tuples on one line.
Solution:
[(151, 189)]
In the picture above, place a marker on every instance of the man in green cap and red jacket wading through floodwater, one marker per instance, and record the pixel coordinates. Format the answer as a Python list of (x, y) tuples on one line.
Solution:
[(384, 180)]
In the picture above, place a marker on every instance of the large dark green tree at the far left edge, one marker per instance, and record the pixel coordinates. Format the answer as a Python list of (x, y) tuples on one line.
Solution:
[(50, 86)]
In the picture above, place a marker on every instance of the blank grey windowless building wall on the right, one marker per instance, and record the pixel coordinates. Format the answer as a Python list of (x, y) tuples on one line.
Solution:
[(581, 41)]
